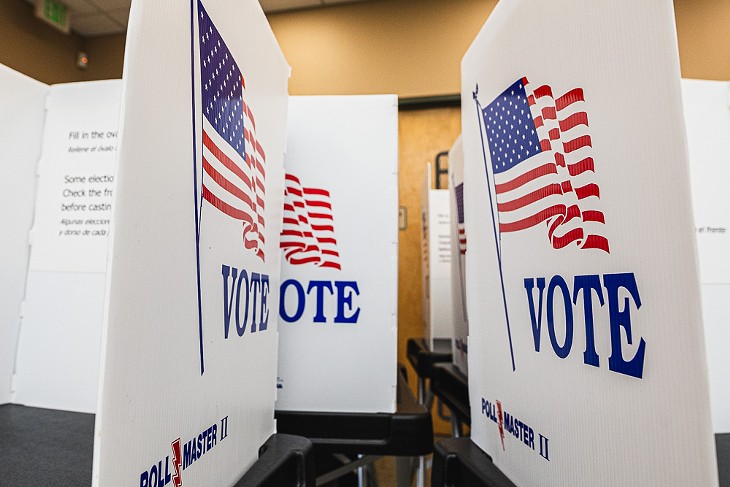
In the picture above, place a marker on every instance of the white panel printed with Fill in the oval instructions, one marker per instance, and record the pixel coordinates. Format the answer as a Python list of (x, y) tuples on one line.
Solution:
[(58, 357)]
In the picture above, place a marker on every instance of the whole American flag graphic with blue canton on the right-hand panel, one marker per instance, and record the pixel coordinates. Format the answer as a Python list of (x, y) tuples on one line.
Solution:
[(540, 151)]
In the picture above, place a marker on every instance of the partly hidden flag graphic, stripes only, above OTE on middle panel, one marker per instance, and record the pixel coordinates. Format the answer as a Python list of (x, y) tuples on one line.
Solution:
[(308, 233)]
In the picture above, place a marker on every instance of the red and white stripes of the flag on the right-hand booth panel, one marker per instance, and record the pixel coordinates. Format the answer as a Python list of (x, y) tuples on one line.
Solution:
[(555, 186)]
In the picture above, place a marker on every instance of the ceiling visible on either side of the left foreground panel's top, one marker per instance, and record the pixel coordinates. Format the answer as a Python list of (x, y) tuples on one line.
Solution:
[(100, 17)]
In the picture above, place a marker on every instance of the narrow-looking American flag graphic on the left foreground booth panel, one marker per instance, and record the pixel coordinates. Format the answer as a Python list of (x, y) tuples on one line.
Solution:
[(234, 174)]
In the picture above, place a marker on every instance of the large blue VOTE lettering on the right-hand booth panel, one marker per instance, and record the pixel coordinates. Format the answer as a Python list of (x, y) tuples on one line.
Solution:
[(619, 316)]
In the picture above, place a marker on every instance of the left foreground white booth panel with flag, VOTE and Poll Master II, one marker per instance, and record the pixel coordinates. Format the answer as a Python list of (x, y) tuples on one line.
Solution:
[(190, 330)]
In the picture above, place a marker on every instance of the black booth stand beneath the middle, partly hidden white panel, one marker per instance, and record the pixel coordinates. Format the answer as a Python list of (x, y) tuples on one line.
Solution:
[(356, 439)]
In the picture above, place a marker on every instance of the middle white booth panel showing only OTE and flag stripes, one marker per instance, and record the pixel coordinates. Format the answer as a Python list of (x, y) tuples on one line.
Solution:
[(338, 323)]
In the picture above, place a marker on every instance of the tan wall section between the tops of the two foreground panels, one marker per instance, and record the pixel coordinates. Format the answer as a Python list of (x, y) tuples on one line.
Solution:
[(408, 47)]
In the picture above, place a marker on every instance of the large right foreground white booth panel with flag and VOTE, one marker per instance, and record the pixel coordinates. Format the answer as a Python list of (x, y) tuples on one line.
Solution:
[(586, 346)]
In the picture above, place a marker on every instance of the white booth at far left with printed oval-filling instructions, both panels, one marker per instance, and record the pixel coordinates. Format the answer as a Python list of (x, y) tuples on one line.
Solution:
[(61, 149)]
